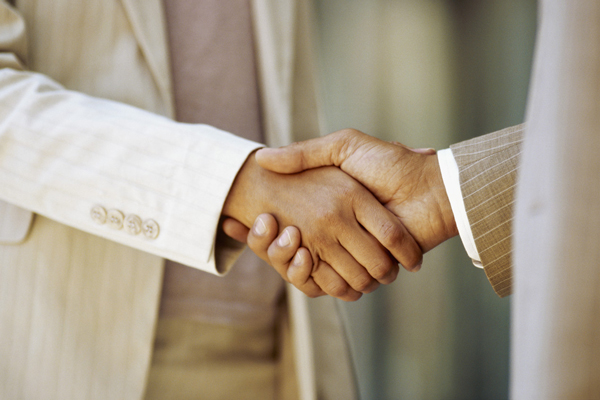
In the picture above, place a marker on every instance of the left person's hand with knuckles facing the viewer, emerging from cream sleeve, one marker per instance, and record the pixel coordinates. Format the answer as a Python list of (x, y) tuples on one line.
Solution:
[(334, 213)]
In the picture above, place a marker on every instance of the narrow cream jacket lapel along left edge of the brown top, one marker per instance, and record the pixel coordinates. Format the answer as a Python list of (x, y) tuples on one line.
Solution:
[(149, 26)]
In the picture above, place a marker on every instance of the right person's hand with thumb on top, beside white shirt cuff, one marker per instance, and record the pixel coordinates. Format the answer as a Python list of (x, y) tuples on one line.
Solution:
[(407, 182)]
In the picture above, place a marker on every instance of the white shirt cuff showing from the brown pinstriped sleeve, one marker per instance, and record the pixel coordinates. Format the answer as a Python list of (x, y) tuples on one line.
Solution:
[(450, 176)]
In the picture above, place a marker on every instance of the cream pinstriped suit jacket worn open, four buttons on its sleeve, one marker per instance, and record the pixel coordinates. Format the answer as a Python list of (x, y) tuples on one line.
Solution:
[(85, 101)]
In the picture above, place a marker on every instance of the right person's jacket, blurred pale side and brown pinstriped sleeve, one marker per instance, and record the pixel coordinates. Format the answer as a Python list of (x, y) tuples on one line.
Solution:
[(556, 241)]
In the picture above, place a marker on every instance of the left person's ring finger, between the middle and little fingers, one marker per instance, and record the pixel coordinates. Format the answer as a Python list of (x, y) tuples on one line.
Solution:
[(355, 275)]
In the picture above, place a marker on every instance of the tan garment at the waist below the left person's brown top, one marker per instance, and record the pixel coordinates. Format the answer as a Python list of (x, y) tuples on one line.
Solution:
[(204, 360)]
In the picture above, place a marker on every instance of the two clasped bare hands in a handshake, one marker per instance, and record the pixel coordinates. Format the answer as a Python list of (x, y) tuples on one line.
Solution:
[(335, 215)]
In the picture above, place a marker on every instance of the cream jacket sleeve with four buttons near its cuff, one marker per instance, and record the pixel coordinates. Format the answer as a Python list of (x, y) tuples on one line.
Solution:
[(110, 169)]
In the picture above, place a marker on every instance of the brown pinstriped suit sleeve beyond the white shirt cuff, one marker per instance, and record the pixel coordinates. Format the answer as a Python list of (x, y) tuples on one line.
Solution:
[(487, 170)]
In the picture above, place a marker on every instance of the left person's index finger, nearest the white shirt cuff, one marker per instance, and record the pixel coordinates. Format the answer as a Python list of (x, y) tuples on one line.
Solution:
[(390, 232)]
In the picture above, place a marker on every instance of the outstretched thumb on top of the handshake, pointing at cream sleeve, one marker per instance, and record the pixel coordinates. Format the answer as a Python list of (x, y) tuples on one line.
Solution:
[(332, 149)]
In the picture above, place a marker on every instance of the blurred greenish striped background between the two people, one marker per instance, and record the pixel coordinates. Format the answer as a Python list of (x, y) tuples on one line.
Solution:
[(427, 73)]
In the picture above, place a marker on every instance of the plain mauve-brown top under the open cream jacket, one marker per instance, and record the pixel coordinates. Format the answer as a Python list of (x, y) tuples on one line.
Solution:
[(215, 82)]
